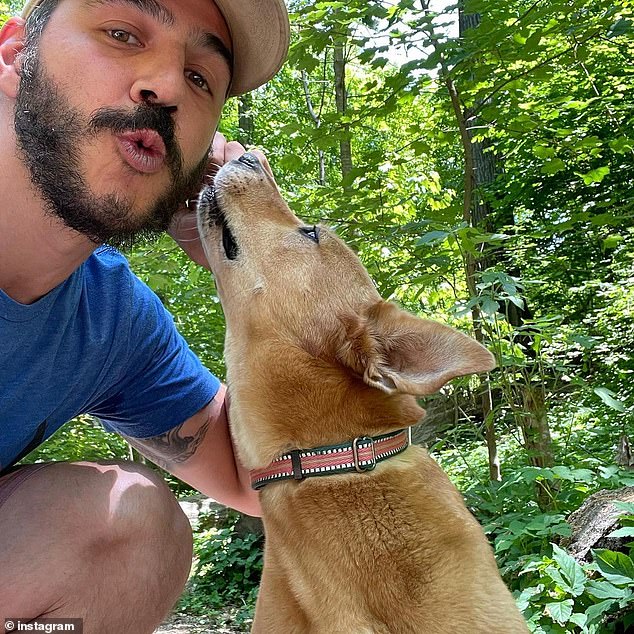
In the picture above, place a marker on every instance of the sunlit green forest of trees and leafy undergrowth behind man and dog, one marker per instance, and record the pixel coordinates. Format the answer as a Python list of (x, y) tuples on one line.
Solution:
[(478, 157)]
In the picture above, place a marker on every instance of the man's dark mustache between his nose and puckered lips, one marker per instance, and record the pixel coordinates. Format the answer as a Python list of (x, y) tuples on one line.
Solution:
[(144, 116)]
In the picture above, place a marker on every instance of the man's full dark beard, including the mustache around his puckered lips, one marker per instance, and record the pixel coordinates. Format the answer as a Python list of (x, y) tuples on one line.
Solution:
[(49, 132)]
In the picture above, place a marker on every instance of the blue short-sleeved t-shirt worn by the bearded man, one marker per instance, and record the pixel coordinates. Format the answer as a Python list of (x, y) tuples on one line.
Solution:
[(100, 343)]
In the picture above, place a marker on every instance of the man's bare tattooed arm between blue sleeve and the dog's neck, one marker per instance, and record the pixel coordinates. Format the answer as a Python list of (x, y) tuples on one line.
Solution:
[(200, 452)]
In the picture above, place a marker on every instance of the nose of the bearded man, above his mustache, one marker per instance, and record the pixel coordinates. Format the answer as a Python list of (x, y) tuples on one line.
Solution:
[(160, 82)]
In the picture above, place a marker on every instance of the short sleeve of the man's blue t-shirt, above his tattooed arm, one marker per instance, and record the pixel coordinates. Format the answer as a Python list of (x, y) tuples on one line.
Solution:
[(162, 382)]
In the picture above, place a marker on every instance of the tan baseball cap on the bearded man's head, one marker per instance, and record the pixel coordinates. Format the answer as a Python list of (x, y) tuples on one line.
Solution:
[(260, 35)]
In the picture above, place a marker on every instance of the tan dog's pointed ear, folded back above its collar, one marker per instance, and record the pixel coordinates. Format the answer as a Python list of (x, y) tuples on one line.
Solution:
[(395, 351)]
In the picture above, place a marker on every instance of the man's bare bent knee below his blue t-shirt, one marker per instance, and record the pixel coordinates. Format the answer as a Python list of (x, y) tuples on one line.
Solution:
[(93, 539)]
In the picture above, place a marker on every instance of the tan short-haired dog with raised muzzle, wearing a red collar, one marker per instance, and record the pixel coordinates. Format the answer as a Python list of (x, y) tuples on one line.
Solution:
[(316, 359)]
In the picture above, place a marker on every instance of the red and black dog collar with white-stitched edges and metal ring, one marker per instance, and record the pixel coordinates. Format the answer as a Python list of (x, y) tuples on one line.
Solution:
[(362, 454)]
